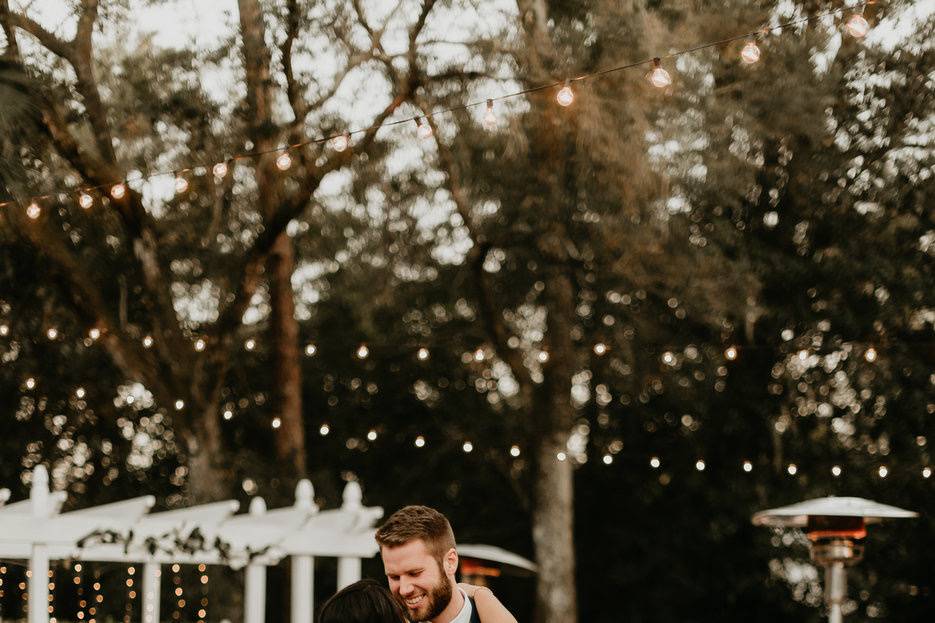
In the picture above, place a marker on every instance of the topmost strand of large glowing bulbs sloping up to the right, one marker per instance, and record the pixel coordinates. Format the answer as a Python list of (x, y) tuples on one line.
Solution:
[(220, 169)]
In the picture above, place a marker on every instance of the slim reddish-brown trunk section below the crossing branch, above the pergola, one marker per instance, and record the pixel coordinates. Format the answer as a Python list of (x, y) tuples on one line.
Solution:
[(284, 329)]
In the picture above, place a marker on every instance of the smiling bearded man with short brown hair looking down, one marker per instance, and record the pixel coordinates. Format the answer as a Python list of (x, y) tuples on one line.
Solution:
[(420, 560)]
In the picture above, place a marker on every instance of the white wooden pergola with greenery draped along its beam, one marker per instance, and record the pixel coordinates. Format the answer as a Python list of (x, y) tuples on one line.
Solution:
[(35, 530)]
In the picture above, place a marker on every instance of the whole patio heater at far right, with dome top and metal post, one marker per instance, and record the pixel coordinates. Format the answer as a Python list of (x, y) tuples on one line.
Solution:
[(835, 528)]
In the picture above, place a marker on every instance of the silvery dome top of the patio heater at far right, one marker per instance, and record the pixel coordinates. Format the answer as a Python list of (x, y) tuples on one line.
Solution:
[(796, 515)]
